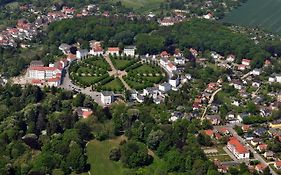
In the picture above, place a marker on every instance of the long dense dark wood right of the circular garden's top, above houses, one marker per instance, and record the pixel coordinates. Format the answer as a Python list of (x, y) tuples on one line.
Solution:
[(202, 35)]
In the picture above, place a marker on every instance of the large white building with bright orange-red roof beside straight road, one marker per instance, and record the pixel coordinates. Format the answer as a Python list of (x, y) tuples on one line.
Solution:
[(238, 149)]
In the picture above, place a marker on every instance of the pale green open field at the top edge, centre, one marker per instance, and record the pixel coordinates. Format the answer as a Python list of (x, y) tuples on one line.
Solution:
[(141, 5)]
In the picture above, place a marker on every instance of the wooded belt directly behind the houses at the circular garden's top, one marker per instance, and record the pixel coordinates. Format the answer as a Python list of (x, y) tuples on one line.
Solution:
[(113, 31)]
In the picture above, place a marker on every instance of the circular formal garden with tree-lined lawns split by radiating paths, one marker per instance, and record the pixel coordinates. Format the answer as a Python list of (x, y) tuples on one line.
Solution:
[(93, 72)]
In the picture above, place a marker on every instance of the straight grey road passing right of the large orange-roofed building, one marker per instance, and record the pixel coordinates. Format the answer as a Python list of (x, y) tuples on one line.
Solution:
[(249, 147)]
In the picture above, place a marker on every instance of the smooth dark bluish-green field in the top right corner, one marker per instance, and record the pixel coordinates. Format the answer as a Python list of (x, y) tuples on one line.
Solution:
[(265, 14)]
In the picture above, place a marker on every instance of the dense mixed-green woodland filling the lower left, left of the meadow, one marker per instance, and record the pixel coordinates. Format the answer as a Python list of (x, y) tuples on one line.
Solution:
[(40, 132)]
